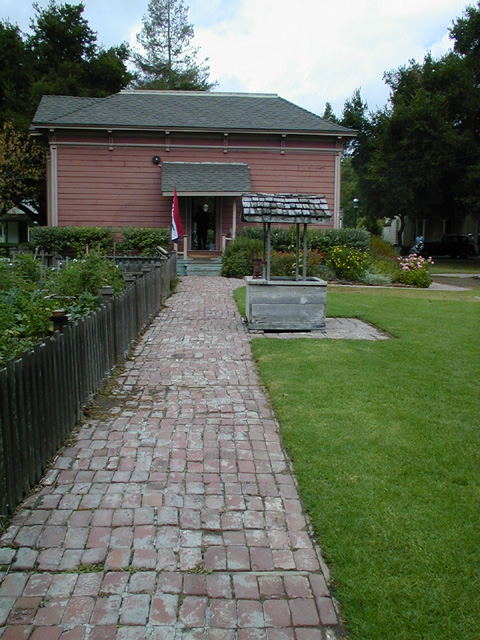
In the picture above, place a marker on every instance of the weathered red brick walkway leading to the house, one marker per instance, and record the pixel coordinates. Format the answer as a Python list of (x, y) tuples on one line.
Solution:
[(174, 514)]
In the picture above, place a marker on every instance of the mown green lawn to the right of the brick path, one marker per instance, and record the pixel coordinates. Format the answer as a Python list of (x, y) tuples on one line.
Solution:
[(385, 443)]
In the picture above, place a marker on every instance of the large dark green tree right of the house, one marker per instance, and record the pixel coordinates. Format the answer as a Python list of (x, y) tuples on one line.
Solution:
[(420, 155)]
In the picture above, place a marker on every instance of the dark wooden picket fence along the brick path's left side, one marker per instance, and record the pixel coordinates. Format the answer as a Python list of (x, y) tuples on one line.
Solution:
[(44, 392)]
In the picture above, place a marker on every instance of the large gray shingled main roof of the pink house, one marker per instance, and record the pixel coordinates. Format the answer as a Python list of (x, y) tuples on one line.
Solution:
[(189, 110)]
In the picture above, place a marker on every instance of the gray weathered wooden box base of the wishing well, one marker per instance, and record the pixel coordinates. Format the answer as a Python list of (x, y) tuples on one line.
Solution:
[(286, 305)]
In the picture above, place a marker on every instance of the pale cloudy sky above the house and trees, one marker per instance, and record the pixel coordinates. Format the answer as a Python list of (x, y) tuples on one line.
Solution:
[(307, 51)]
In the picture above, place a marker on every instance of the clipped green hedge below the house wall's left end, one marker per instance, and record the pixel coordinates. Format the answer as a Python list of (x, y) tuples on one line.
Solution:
[(72, 240)]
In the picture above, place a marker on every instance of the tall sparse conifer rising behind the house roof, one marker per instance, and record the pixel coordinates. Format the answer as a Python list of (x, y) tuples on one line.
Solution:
[(167, 59)]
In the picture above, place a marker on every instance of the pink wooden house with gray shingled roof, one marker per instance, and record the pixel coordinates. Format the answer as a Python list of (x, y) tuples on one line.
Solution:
[(116, 161)]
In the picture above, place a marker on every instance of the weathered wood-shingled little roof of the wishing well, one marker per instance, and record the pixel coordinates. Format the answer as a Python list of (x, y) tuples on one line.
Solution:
[(284, 207)]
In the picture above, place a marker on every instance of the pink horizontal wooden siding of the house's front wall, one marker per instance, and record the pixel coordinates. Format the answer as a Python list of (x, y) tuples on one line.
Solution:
[(110, 180)]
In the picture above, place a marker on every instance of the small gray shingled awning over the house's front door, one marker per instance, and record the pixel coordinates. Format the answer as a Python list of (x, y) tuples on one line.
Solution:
[(205, 178)]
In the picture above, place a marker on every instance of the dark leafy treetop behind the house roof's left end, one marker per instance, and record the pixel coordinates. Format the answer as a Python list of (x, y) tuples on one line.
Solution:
[(60, 56)]
